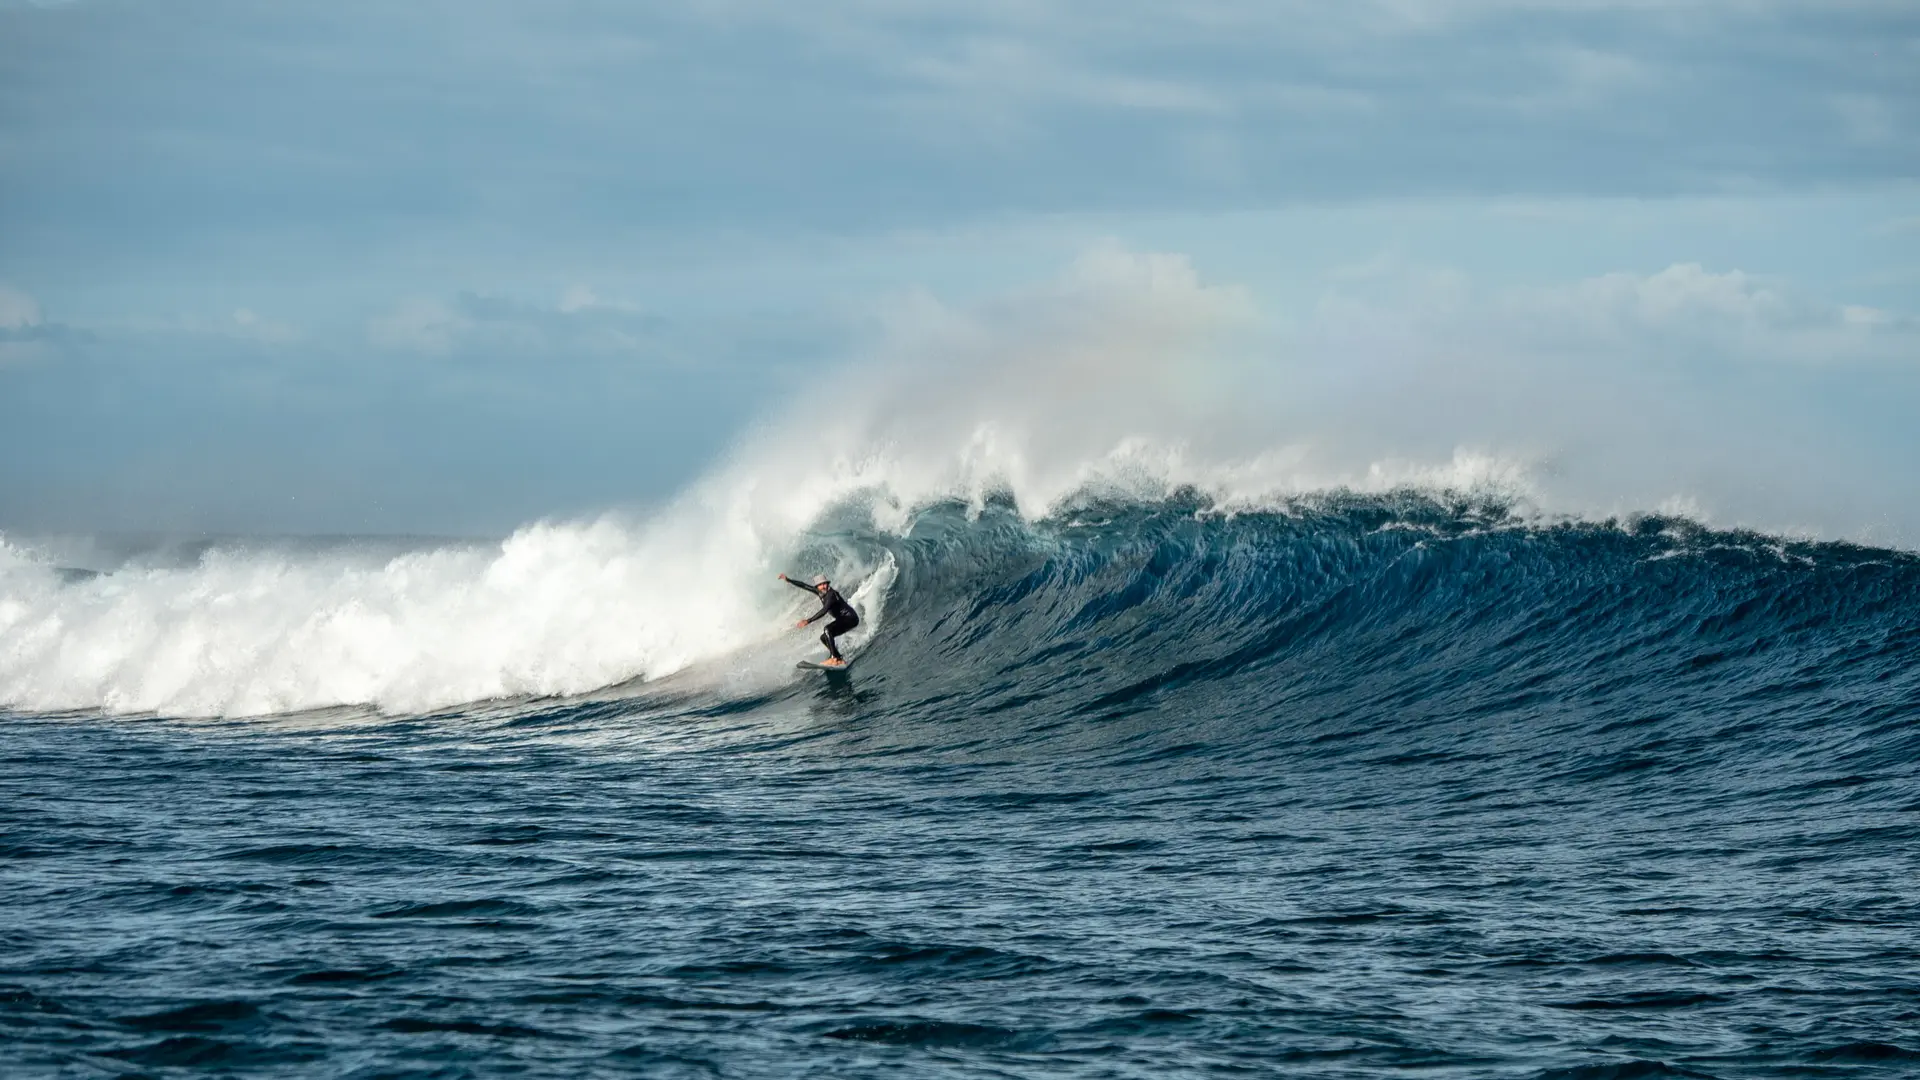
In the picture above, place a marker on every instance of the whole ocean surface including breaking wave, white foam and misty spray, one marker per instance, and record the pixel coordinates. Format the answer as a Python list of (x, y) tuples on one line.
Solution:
[(1191, 735)]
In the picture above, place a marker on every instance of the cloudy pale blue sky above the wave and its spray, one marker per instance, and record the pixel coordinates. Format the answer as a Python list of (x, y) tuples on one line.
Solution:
[(452, 266)]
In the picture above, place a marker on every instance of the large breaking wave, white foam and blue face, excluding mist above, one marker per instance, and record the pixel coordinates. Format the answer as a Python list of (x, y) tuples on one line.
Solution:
[(1401, 608)]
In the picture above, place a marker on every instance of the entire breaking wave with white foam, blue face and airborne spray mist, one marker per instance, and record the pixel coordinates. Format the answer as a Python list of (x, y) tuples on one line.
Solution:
[(942, 489)]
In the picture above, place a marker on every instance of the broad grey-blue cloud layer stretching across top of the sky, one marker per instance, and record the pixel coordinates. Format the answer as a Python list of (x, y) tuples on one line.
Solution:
[(364, 122)]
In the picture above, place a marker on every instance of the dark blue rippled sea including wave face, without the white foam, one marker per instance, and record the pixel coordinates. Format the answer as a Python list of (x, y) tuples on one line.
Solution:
[(1372, 789)]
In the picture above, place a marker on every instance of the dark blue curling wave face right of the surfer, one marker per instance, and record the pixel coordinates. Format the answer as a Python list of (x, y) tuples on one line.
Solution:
[(1401, 618)]
